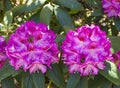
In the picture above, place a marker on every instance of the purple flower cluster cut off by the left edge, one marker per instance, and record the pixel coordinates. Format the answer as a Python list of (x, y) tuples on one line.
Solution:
[(2, 51)]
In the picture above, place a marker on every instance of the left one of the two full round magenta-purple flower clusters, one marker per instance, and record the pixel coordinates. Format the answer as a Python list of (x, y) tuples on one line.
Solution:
[(32, 47)]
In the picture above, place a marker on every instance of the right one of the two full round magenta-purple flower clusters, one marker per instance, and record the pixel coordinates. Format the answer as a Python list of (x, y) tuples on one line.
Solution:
[(86, 49)]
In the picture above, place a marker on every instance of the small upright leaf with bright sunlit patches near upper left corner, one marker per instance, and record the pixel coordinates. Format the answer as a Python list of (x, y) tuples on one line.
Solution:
[(8, 17)]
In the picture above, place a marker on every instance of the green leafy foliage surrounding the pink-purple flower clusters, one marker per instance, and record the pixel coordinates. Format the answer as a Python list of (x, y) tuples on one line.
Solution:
[(60, 16)]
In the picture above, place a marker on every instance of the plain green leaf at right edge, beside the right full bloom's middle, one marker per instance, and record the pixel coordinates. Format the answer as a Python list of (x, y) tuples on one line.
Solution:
[(115, 41)]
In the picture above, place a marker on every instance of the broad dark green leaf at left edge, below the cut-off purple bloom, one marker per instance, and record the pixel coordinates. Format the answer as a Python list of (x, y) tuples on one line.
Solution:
[(6, 71)]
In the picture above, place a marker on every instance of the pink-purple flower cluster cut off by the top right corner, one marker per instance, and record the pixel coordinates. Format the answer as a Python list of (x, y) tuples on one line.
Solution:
[(111, 7)]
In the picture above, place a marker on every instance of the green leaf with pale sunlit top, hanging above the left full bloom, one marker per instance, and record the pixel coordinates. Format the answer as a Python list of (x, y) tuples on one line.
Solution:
[(46, 14)]
